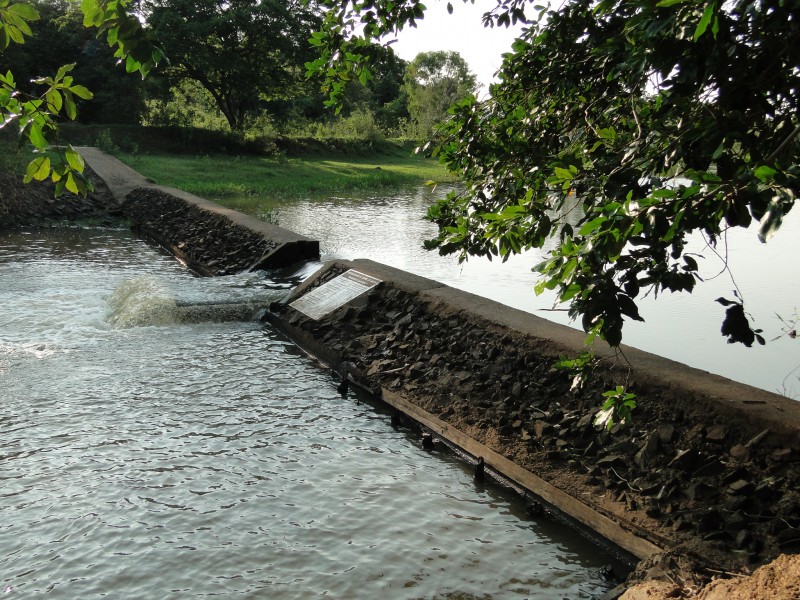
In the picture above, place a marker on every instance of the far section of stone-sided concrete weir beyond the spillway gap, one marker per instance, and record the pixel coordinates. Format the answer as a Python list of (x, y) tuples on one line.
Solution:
[(210, 239)]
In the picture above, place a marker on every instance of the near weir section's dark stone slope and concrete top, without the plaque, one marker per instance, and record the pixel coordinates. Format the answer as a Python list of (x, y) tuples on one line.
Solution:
[(707, 470)]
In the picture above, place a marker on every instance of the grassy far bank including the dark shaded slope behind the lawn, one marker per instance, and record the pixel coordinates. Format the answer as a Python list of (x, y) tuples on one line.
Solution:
[(212, 165)]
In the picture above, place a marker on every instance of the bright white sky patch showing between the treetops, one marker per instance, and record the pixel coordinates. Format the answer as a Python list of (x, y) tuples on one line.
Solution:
[(463, 32)]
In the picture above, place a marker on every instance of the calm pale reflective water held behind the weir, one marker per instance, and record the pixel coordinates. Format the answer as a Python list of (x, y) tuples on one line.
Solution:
[(684, 327)]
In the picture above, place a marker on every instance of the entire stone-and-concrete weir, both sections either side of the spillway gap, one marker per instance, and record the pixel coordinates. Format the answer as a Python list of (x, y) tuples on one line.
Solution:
[(705, 479)]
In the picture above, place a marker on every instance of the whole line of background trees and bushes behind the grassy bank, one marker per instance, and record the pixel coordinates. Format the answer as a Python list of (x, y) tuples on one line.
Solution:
[(238, 67)]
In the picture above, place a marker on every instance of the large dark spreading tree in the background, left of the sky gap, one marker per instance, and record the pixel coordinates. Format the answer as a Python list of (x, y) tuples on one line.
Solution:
[(244, 52)]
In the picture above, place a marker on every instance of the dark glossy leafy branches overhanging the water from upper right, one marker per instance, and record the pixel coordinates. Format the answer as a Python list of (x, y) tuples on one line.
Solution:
[(658, 119)]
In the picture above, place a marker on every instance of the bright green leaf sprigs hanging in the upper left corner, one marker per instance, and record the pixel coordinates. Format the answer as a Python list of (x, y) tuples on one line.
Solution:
[(36, 114)]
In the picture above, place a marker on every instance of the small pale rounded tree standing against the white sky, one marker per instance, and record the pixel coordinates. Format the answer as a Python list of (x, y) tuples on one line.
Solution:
[(434, 81)]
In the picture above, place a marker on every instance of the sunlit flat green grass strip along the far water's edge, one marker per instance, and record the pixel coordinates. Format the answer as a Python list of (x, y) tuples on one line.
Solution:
[(246, 179)]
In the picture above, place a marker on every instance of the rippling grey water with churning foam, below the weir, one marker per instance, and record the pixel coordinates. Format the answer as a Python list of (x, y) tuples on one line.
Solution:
[(146, 456)]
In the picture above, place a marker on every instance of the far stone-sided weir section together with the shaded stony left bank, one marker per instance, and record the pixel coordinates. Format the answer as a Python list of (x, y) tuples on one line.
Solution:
[(208, 238)]
